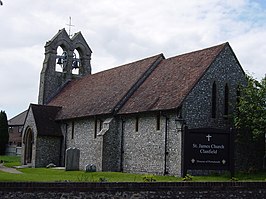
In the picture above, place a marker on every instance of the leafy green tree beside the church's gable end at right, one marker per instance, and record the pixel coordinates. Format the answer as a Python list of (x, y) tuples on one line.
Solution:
[(250, 122)]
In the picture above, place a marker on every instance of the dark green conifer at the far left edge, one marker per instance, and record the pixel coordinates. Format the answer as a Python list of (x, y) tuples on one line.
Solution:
[(4, 136)]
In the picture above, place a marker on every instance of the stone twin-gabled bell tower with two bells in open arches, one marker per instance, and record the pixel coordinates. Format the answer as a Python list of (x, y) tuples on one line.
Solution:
[(61, 67)]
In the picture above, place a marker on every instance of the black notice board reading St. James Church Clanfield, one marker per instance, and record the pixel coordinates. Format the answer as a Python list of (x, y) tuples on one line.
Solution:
[(207, 149)]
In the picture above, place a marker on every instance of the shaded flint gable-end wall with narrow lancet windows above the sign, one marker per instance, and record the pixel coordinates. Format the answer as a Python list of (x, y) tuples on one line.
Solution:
[(197, 105)]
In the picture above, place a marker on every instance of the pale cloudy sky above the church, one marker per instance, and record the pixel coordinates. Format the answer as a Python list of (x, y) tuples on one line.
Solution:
[(121, 31)]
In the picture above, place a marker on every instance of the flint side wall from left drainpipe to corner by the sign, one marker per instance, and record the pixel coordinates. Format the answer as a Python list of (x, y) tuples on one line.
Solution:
[(149, 150)]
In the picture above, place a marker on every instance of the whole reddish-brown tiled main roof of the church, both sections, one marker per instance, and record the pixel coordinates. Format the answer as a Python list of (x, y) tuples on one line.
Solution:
[(165, 88)]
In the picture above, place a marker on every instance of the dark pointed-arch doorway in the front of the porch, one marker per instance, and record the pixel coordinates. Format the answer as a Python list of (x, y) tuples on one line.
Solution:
[(28, 140)]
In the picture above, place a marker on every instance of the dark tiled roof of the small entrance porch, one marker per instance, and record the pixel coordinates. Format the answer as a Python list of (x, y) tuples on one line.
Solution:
[(45, 120)]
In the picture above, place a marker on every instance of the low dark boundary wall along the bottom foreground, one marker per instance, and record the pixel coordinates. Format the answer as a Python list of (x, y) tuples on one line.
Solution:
[(200, 190)]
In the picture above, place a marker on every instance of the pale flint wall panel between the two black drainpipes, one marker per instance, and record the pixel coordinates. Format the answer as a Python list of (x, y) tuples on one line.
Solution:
[(143, 149)]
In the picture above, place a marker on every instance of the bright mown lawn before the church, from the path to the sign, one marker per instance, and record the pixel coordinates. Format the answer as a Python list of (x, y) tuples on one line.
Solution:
[(54, 175)]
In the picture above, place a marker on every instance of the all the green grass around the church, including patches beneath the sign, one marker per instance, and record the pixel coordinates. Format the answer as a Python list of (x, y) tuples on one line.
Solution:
[(55, 175)]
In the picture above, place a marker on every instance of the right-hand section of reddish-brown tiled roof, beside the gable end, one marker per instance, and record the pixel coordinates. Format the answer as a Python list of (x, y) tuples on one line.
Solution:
[(171, 81)]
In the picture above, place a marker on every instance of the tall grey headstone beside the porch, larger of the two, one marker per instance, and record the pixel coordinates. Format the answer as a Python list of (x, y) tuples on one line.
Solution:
[(72, 159)]
